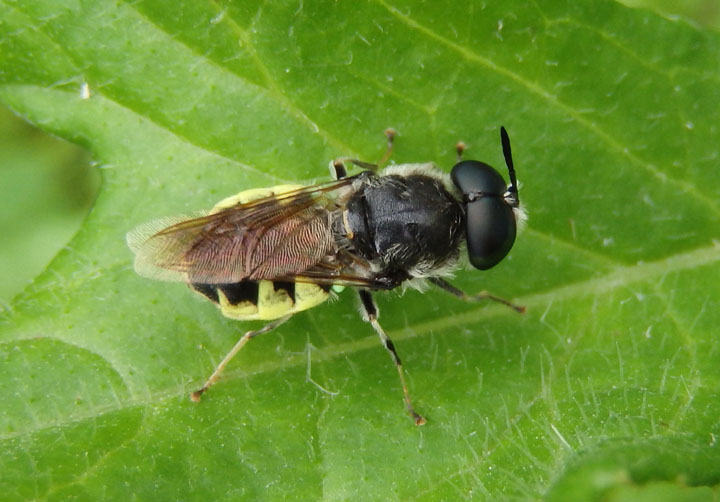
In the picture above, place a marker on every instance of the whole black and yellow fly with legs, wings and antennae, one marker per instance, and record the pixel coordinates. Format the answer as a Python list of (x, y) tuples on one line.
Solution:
[(270, 253)]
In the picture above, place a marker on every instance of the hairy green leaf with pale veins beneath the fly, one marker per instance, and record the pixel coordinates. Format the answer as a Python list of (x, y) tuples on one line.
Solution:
[(607, 387)]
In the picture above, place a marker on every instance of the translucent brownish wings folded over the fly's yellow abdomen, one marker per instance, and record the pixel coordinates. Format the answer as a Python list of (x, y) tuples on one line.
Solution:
[(267, 238)]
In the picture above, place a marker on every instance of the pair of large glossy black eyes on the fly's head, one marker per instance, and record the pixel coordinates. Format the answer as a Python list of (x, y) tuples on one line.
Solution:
[(490, 221)]
